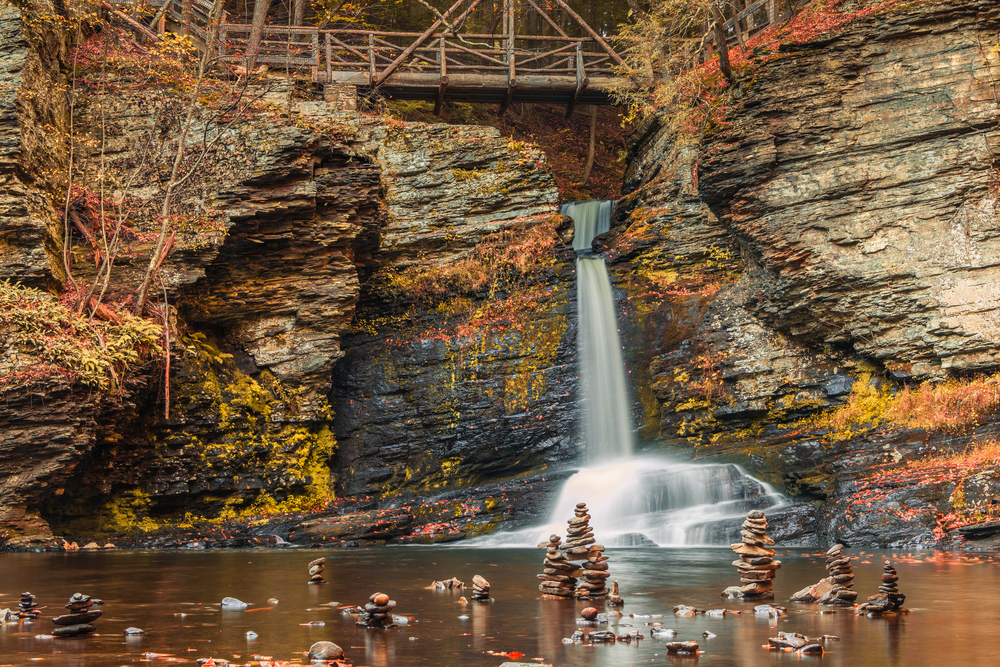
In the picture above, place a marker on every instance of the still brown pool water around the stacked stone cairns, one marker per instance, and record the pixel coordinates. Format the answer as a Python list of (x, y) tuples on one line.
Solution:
[(174, 597)]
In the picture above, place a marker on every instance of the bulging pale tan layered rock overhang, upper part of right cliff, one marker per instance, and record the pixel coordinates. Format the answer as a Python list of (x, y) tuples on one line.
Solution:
[(865, 192)]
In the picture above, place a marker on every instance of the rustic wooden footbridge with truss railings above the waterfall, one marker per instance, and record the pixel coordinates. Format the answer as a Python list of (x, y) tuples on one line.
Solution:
[(443, 62)]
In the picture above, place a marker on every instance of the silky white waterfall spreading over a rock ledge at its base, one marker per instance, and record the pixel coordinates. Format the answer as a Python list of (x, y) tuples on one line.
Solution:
[(633, 501)]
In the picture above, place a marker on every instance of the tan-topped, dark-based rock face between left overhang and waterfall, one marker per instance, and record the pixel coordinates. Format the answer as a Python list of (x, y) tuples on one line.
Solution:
[(433, 394)]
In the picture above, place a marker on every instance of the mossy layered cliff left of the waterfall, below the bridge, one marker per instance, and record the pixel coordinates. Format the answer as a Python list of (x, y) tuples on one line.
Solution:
[(276, 232)]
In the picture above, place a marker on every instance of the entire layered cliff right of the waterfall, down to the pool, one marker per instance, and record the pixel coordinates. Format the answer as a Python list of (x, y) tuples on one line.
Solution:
[(830, 240)]
